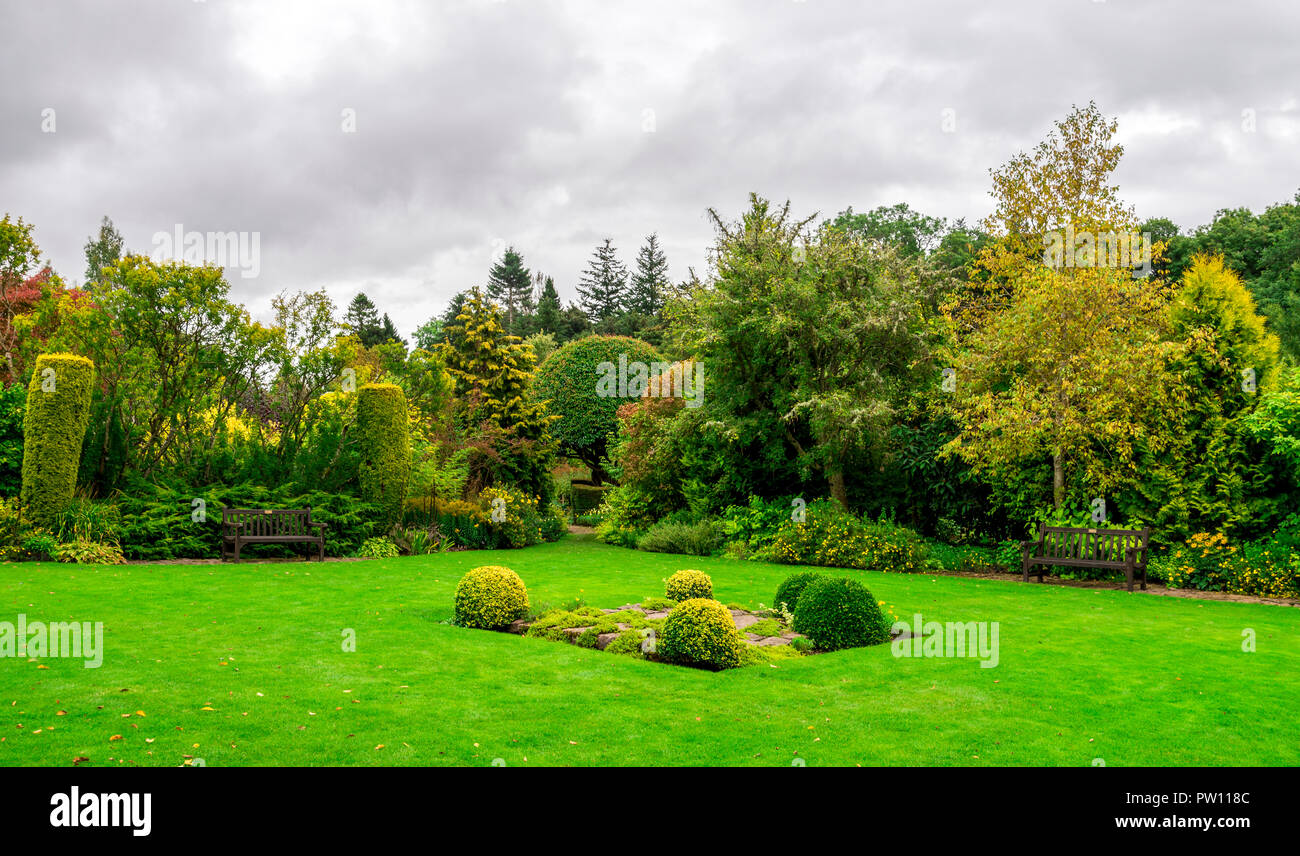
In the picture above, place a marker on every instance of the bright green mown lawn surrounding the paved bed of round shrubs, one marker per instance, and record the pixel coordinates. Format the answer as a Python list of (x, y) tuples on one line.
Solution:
[(1129, 678)]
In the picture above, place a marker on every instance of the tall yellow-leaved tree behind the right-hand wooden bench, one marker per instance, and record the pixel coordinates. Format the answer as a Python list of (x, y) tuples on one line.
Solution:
[(1060, 360)]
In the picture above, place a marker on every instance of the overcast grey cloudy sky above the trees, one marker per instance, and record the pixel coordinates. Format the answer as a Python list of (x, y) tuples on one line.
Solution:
[(396, 148)]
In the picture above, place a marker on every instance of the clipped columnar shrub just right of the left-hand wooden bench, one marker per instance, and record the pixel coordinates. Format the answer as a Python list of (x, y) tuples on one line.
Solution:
[(385, 447)]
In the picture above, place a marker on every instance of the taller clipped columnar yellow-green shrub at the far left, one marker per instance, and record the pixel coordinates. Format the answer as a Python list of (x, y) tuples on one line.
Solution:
[(54, 427)]
